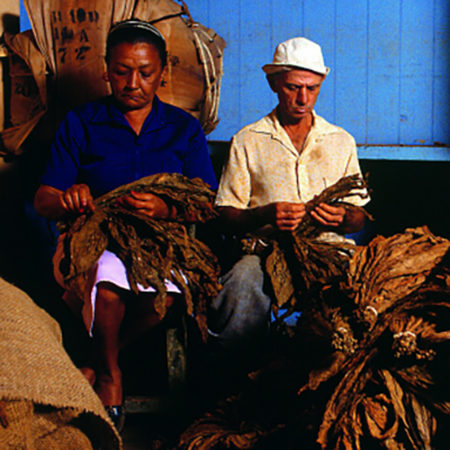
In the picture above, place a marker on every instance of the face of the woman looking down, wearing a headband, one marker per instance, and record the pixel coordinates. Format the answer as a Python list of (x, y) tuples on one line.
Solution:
[(135, 73)]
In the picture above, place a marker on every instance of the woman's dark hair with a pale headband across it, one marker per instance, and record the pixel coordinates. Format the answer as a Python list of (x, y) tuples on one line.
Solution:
[(135, 31)]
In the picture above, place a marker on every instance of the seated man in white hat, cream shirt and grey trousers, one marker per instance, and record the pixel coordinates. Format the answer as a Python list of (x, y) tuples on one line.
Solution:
[(274, 167)]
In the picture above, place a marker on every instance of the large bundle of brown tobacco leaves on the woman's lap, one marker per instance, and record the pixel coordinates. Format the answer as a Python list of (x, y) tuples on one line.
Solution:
[(151, 250)]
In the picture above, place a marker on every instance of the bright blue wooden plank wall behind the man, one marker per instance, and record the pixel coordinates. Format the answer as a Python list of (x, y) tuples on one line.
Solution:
[(389, 83)]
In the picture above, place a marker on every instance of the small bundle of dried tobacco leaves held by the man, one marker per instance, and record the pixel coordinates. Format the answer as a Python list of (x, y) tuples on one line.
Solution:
[(302, 258)]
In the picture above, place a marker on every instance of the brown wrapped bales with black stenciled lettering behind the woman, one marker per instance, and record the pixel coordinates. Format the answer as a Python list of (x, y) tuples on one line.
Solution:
[(71, 37)]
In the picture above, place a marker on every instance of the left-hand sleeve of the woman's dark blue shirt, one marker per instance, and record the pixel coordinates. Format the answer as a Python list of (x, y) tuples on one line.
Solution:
[(62, 167)]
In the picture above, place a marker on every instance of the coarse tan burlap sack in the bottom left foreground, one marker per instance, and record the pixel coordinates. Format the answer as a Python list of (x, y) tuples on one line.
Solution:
[(45, 402)]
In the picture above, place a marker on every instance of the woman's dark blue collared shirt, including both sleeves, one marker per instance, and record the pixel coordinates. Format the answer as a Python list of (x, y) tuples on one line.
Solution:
[(95, 145)]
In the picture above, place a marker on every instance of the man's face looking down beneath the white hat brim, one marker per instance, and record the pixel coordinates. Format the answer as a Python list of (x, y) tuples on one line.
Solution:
[(297, 92)]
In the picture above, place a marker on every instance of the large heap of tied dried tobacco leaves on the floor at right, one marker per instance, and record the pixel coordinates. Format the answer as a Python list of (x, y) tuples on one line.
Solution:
[(368, 364)]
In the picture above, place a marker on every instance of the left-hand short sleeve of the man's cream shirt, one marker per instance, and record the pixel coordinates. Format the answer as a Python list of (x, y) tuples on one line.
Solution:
[(235, 185)]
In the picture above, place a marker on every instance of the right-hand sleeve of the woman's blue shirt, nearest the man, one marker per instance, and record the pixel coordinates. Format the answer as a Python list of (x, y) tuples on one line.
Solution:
[(198, 162)]
